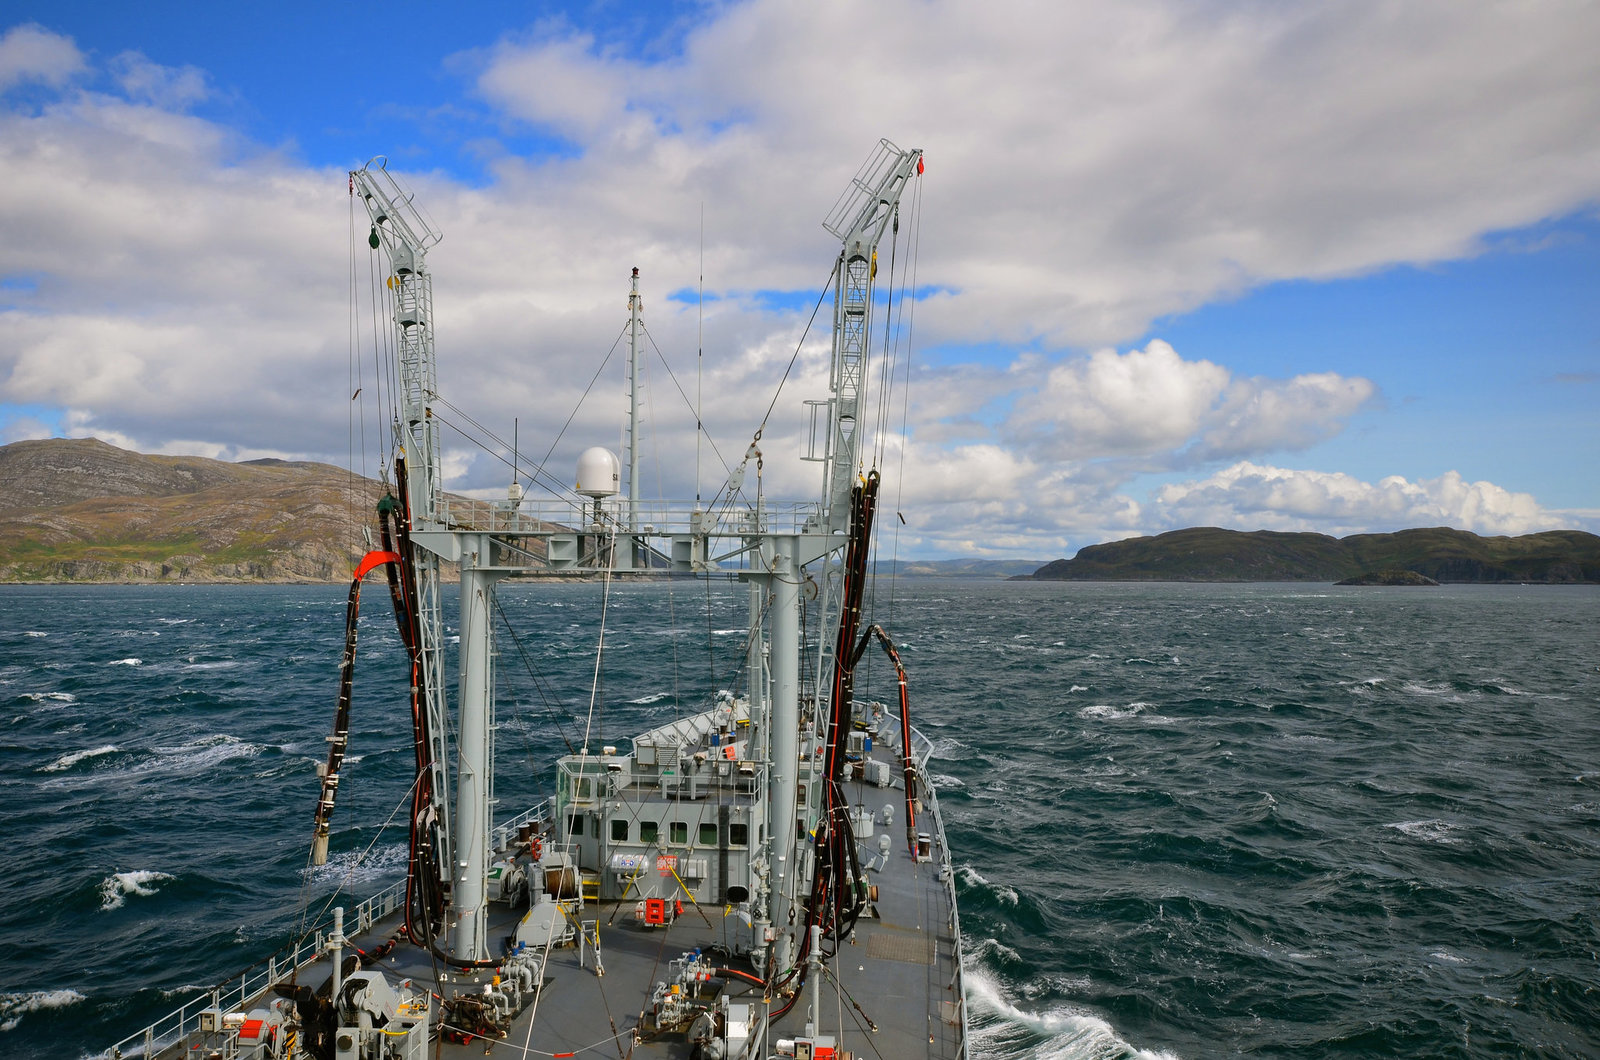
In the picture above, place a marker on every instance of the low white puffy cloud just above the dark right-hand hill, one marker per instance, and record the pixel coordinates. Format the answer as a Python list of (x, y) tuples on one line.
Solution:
[(1254, 497)]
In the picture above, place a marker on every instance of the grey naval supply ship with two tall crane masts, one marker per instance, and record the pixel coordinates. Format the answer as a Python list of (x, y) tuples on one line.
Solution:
[(764, 878)]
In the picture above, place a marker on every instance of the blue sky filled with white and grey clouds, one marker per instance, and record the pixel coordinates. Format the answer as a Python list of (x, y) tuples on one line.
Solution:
[(1322, 267)]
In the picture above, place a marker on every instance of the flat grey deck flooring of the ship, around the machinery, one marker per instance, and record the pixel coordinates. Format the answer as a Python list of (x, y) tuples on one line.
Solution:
[(894, 989)]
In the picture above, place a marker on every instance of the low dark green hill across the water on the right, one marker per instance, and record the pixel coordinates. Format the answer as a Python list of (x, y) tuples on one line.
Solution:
[(1439, 553)]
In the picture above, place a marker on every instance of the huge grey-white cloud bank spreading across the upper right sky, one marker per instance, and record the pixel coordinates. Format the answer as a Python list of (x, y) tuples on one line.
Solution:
[(1108, 164)]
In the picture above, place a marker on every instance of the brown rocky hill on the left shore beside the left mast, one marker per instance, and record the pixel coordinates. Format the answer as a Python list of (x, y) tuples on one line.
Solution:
[(79, 510)]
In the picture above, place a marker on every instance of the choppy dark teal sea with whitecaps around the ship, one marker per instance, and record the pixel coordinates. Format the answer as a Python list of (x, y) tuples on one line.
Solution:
[(1188, 821)]
